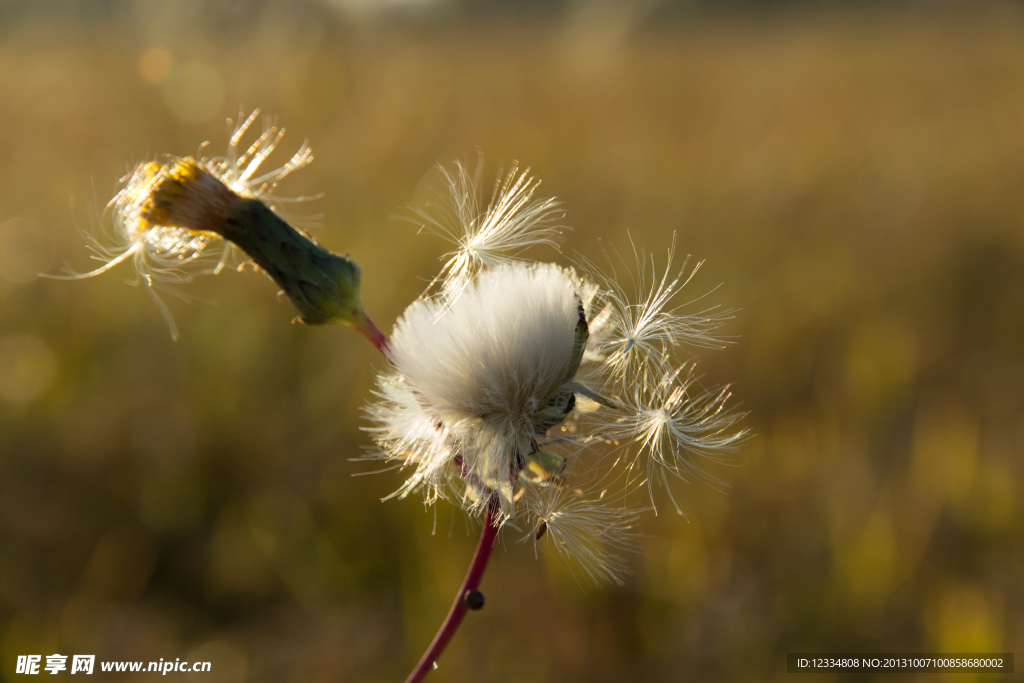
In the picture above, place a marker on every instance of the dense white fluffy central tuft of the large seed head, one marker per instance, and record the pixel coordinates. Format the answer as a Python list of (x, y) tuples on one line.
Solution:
[(491, 371)]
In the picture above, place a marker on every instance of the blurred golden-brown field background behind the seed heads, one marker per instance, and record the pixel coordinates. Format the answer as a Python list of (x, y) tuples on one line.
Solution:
[(851, 174)]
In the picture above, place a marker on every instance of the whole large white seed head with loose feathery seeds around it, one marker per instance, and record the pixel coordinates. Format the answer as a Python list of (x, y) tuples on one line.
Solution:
[(531, 386)]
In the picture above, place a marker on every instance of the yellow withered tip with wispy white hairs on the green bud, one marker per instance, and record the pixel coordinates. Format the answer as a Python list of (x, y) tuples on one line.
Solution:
[(146, 227)]
